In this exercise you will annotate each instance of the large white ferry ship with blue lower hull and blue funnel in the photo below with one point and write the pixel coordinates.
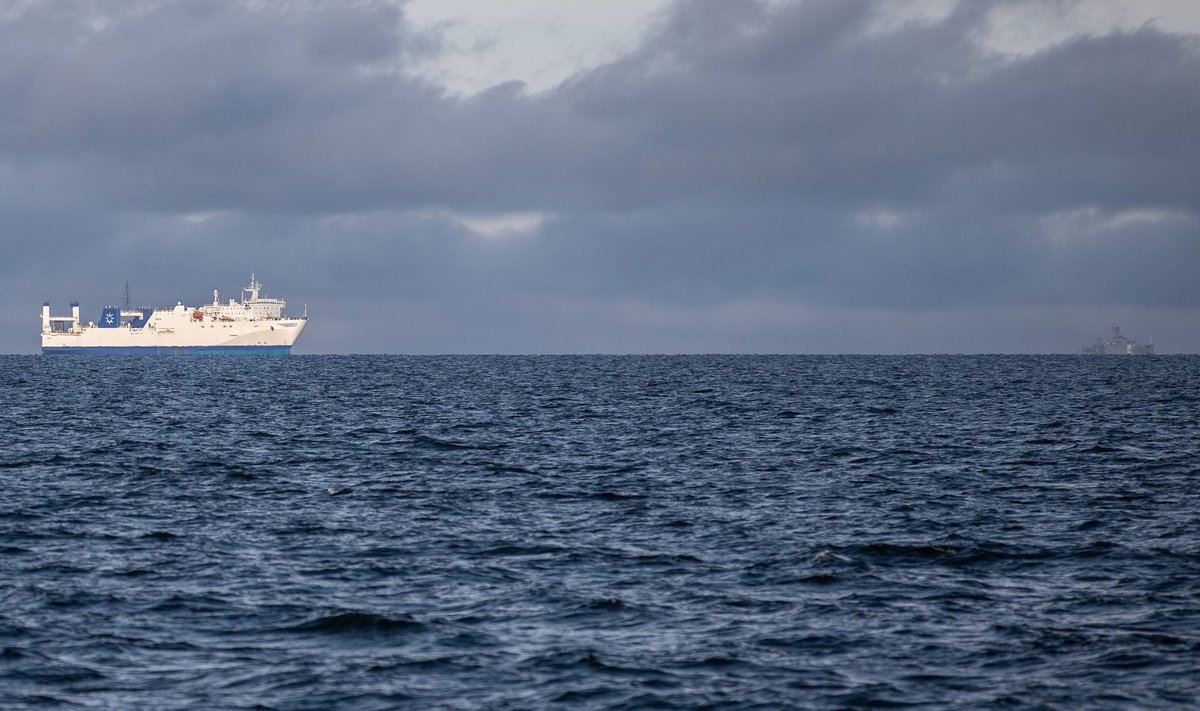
(254, 325)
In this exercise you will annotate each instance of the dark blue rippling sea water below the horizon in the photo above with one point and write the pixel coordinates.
(601, 533)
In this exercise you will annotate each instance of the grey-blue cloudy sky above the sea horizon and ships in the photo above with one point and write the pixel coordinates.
(643, 177)
